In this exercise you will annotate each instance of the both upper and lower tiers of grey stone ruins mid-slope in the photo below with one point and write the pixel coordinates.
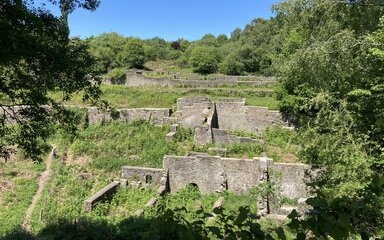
(212, 122)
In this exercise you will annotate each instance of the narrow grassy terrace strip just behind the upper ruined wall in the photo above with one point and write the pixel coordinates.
(165, 97)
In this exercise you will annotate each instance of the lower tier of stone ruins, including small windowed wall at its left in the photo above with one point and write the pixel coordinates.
(213, 174)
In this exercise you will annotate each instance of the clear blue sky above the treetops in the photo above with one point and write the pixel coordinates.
(168, 19)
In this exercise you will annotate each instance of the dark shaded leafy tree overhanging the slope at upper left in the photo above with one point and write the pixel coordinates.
(38, 58)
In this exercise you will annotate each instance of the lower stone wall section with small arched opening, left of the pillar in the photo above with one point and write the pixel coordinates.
(209, 172)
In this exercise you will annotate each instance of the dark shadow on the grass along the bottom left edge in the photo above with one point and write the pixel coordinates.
(130, 228)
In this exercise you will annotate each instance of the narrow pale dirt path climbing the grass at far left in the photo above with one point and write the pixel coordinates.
(43, 179)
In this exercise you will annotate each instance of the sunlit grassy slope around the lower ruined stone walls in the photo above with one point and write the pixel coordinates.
(98, 153)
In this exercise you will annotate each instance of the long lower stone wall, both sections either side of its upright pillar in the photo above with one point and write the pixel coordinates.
(241, 175)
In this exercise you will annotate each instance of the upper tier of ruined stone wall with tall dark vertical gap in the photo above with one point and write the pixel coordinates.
(212, 121)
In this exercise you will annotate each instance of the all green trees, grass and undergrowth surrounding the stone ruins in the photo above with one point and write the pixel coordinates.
(328, 56)
